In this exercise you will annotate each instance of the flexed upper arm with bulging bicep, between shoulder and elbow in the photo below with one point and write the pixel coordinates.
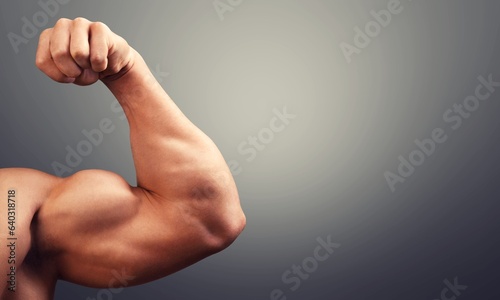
(95, 225)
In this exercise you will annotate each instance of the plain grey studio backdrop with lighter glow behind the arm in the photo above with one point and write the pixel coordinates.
(364, 135)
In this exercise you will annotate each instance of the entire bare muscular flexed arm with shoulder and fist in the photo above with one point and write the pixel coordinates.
(93, 228)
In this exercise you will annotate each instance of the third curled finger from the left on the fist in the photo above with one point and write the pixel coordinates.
(79, 44)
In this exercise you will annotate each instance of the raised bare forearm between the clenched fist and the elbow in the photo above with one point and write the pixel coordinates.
(170, 153)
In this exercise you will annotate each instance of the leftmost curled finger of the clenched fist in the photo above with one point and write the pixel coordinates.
(44, 60)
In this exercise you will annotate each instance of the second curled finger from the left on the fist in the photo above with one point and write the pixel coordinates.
(60, 49)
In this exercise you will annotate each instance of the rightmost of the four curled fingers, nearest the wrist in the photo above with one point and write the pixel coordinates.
(99, 46)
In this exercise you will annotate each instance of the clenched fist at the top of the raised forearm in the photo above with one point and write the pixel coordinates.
(82, 52)
